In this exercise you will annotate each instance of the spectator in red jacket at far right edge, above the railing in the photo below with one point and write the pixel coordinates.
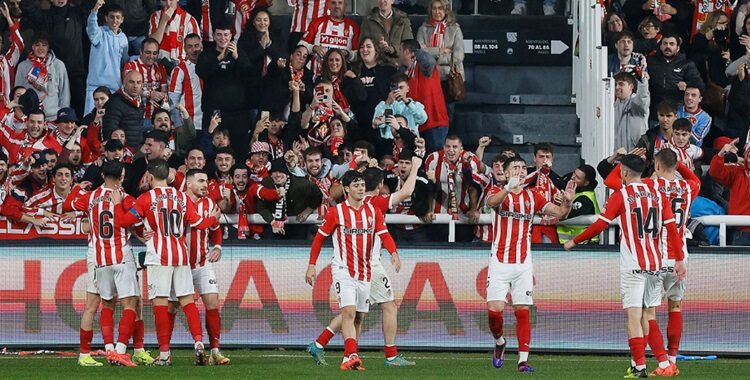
(736, 177)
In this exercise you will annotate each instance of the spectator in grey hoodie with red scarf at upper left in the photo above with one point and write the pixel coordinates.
(46, 75)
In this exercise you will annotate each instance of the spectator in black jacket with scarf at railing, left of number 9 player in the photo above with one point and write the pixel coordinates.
(301, 197)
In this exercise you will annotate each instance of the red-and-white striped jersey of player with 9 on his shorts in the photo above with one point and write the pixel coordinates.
(354, 236)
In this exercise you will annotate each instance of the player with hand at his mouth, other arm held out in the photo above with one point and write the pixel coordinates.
(510, 267)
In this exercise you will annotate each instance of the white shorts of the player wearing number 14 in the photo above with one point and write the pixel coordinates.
(640, 288)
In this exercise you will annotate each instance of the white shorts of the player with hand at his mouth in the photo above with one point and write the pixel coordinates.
(518, 279)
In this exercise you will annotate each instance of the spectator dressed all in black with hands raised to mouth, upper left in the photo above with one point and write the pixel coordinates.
(220, 66)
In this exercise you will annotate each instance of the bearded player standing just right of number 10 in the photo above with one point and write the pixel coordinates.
(204, 278)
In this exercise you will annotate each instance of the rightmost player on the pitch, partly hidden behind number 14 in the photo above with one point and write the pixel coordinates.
(680, 193)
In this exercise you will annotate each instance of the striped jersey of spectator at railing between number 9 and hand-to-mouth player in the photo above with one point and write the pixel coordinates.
(436, 162)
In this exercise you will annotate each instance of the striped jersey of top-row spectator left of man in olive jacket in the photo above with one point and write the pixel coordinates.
(329, 33)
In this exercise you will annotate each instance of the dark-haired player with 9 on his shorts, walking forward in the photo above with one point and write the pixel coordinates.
(357, 225)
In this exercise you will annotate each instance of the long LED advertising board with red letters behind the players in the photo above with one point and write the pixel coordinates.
(440, 292)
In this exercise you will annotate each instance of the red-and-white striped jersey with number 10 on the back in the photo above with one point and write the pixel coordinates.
(165, 211)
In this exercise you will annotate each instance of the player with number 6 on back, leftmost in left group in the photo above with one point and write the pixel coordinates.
(115, 270)
